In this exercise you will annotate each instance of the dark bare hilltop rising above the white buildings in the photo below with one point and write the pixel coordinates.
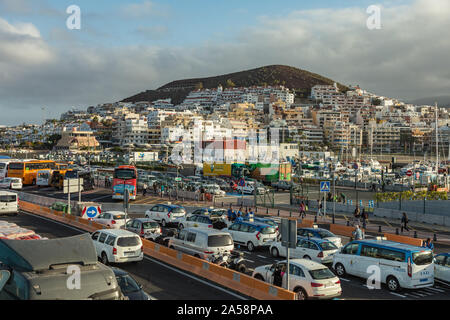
(299, 80)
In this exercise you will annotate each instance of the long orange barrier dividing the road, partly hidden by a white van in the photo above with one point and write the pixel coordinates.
(229, 278)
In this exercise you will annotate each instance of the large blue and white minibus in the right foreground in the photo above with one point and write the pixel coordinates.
(400, 265)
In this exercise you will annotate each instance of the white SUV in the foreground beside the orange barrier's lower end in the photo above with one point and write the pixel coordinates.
(308, 279)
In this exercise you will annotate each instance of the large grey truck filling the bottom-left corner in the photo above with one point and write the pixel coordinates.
(44, 270)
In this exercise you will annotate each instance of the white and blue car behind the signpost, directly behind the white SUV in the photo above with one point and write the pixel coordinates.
(318, 250)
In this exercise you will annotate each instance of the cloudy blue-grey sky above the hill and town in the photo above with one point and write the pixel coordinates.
(125, 47)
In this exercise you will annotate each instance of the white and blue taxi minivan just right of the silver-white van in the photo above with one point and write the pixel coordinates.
(252, 235)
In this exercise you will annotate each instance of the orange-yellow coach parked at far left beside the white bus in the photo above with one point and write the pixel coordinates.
(27, 169)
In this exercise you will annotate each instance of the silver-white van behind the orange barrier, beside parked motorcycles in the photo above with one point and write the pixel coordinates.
(202, 243)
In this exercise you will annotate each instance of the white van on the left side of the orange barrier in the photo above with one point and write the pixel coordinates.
(116, 245)
